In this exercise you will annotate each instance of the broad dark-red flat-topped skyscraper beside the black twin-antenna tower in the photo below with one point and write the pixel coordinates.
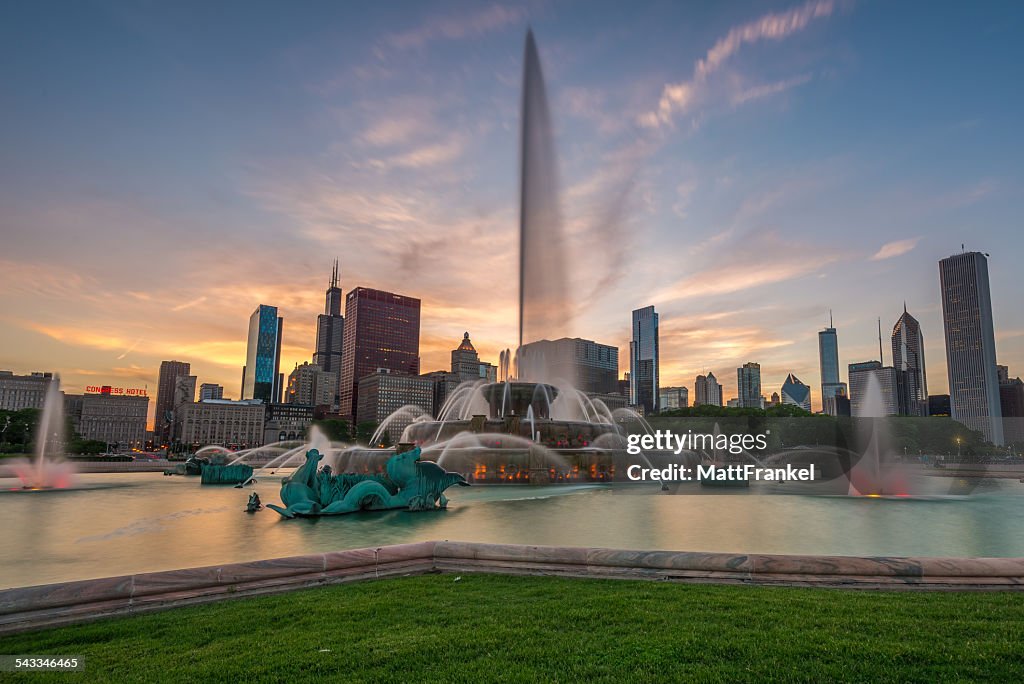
(382, 331)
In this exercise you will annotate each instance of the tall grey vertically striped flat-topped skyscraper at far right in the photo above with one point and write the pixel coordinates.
(967, 318)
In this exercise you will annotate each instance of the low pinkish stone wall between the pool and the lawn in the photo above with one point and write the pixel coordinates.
(64, 604)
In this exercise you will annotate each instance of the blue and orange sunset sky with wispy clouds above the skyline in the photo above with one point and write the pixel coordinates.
(745, 167)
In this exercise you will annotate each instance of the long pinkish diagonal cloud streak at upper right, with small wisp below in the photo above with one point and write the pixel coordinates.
(681, 98)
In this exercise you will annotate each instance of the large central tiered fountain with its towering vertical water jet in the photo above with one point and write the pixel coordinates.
(532, 426)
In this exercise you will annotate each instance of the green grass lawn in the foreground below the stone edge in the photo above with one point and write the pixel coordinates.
(494, 628)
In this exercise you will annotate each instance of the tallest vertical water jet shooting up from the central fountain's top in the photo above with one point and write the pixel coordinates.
(544, 309)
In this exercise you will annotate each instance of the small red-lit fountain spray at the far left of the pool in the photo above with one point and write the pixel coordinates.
(48, 471)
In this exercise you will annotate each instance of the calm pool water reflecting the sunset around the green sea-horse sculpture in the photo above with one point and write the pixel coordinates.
(145, 523)
